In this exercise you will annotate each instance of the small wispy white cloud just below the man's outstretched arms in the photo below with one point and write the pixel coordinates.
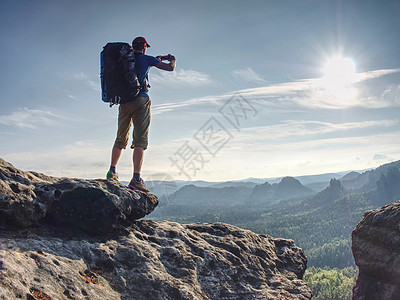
(181, 77)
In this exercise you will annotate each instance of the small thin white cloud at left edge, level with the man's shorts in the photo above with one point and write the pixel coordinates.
(26, 118)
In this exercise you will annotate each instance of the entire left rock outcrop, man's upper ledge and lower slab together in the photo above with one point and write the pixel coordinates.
(51, 248)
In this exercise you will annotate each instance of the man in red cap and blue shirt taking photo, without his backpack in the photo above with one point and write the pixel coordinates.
(137, 111)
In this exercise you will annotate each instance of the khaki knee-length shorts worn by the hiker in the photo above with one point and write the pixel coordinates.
(138, 112)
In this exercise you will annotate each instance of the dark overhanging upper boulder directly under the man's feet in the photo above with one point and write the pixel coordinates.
(93, 206)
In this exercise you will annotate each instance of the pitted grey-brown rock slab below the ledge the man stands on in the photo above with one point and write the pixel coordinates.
(153, 260)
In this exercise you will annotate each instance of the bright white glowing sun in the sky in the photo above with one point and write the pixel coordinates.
(339, 75)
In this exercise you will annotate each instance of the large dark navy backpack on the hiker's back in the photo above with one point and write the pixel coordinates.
(119, 81)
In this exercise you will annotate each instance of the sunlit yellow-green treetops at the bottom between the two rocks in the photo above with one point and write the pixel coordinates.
(331, 284)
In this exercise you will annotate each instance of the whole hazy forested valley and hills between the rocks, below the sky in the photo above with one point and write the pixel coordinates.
(320, 222)
